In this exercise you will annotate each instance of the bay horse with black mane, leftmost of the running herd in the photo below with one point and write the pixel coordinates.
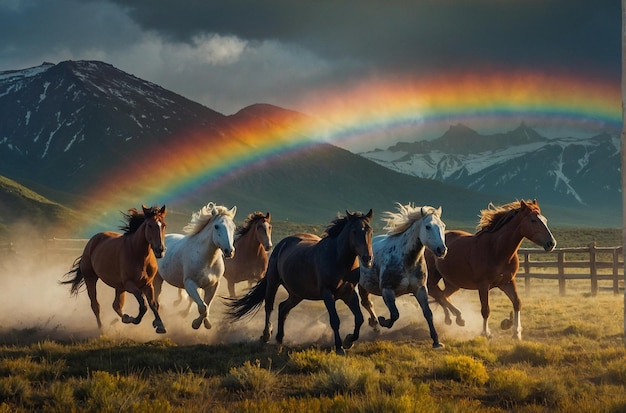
(127, 262)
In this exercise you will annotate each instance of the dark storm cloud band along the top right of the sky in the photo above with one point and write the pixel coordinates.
(410, 35)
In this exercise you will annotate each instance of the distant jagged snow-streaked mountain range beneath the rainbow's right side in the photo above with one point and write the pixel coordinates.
(568, 172)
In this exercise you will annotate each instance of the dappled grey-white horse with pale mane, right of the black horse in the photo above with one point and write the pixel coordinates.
(400, 267)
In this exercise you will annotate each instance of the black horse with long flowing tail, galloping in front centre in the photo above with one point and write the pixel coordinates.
(314, 268)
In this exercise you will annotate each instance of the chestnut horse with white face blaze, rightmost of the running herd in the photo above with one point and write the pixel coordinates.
(488, 259)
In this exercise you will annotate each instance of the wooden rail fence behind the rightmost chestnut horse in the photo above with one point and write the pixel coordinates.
(582, 263)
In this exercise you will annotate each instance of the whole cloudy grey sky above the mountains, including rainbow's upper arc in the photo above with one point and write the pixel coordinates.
(392, 63)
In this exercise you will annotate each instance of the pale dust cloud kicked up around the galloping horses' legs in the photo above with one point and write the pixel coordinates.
(34, 306)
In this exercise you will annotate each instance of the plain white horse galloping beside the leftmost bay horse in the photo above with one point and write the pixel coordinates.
(196, 260)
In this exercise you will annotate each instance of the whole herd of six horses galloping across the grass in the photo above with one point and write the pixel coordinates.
(416, 255)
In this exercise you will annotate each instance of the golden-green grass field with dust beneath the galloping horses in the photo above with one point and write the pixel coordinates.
(53, 359)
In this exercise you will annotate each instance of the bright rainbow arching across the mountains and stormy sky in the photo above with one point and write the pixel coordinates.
(362, 113)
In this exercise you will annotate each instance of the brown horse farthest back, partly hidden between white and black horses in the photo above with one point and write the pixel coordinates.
(253, 239)
